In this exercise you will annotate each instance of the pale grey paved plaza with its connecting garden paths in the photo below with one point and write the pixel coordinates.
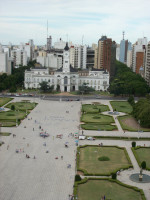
(48, 178)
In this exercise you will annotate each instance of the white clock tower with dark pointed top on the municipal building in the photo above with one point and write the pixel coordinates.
(66, 65)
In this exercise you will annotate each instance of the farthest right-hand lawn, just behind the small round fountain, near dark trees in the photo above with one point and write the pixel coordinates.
(121, 106)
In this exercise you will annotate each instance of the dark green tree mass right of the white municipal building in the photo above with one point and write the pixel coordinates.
(127, 82)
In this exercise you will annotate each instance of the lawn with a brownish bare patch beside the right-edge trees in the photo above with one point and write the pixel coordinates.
(129, 123)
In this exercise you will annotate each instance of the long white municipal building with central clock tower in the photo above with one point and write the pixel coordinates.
(67, 78)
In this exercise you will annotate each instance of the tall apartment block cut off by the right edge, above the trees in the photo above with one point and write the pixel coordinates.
(147, 65)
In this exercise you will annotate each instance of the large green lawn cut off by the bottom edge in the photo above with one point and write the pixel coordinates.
(95, 189)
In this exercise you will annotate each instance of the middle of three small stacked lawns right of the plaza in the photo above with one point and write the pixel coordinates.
(97, 118)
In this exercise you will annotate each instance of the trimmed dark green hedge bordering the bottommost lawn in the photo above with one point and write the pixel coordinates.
(75, 191)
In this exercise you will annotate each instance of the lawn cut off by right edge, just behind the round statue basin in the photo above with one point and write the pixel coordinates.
(143, 154)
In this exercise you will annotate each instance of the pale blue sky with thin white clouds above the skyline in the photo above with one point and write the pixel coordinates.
(73, 20)
